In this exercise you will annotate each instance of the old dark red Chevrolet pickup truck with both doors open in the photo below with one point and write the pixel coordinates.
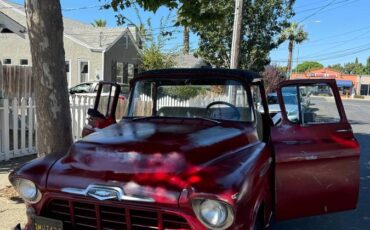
(197, 149)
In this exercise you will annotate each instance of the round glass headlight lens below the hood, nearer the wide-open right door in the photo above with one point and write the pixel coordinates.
(213, 212)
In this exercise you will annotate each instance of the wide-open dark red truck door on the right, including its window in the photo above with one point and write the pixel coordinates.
(316, 153)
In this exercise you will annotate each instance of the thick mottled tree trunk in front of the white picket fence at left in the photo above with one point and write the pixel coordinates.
(45, 30)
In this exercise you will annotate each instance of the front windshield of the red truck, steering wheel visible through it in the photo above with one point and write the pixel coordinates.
(218, 99)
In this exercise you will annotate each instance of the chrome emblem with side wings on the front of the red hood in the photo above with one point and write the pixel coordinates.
(103, 192)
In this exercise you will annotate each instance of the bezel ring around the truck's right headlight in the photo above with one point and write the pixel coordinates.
(229, 219)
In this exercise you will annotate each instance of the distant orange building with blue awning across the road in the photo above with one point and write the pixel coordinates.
(348, 84)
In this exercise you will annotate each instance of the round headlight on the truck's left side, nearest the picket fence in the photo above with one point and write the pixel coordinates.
(27, 190)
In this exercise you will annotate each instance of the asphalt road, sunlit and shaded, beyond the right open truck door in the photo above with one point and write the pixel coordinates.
(358, 112)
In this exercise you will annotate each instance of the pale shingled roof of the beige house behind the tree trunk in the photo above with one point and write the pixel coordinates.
(96, 38)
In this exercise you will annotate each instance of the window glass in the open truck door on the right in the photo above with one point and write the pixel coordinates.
(310, 104)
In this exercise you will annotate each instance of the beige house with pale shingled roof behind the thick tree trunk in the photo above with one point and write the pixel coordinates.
(92, 53)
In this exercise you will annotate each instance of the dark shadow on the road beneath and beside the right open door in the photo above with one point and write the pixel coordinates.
(358, 219)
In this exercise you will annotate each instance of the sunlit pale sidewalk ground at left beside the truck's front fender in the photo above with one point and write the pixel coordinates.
(12, 210)
